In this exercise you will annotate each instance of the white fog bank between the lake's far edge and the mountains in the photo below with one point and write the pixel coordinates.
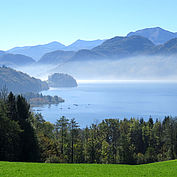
(135, 68)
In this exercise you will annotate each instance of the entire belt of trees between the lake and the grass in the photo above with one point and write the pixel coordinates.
(28, 137)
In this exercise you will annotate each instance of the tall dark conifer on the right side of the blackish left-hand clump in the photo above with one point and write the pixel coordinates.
(29, 144)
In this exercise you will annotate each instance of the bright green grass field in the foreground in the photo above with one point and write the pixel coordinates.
(13, 169)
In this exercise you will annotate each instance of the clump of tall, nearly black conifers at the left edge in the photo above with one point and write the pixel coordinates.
(18, 140)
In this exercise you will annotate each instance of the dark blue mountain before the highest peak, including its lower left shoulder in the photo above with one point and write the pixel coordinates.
(116, 48)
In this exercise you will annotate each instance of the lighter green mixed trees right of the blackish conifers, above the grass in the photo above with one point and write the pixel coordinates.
(112, 141)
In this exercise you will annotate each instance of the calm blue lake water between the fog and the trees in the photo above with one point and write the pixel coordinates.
(91, 103)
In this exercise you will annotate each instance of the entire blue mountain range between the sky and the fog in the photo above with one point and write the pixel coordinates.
(149, 41)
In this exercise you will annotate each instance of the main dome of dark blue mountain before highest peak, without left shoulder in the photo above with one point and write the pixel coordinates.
(118, 47)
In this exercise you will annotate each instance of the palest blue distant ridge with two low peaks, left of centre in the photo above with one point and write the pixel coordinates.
(36, 52)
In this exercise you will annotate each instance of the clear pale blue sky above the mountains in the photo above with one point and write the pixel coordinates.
(33, 22)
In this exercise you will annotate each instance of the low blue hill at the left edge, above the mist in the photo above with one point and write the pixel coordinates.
(14, 59)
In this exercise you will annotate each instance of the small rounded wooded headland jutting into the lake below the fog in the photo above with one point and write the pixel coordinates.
(61, 80)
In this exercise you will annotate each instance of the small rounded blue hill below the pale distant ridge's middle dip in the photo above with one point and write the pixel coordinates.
(56, 57)
